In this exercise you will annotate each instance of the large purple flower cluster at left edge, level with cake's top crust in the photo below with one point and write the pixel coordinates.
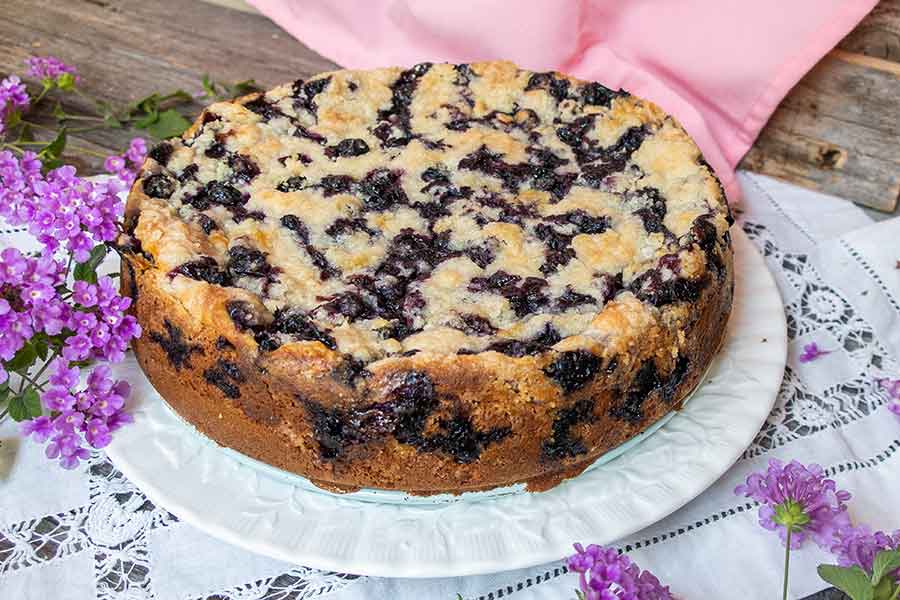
(59, 206)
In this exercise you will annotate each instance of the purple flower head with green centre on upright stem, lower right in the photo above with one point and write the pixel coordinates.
(800, 499)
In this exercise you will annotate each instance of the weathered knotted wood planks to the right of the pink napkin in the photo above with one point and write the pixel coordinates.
(838, 129)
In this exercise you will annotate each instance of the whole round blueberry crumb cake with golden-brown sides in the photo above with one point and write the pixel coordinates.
(435, 279)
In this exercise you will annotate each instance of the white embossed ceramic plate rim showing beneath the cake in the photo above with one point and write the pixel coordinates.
(267, 511)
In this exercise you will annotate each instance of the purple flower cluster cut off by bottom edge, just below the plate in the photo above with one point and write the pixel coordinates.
(607, 575)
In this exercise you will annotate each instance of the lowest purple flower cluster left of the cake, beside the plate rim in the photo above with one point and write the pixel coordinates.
(88, 415)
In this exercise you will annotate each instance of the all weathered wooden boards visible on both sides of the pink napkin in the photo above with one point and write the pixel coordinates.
(838, 131)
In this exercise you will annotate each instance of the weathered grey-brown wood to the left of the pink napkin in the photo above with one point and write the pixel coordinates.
(126, 49)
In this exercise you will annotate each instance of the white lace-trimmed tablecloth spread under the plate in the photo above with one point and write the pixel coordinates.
(90, 534)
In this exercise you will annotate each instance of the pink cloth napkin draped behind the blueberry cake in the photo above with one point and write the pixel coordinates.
(719, 66)
